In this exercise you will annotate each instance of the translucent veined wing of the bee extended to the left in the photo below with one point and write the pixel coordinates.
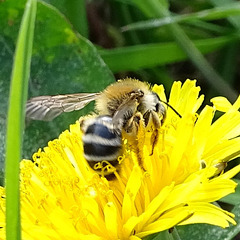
(47, 108)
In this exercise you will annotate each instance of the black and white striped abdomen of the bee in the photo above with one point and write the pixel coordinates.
(101, 141)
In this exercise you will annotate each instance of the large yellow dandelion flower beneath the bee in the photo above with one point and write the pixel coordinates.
(63, 198)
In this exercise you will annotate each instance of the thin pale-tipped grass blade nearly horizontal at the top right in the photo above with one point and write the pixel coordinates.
(210, 14)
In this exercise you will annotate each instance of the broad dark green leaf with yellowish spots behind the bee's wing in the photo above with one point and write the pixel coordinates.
(62, 62)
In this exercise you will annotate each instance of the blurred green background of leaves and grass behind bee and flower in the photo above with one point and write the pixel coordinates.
(82, 46)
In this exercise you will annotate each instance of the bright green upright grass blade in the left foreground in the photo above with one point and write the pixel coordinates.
(17, 99)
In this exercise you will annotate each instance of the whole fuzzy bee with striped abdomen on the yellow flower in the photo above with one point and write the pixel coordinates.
(119, 107)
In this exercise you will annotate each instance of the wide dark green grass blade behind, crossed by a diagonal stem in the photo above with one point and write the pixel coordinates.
(151, 55)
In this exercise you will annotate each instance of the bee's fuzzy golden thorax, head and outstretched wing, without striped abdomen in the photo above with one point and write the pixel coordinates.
(120, 100)
